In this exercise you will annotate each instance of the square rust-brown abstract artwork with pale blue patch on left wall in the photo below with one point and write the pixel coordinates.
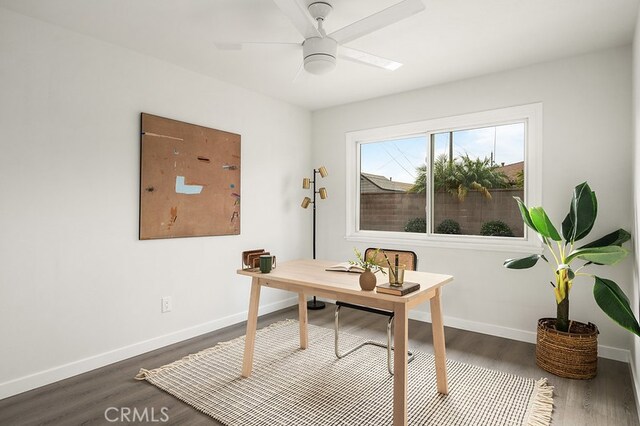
(189, 180)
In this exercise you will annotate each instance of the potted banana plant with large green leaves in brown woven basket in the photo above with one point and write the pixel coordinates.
(564, 347)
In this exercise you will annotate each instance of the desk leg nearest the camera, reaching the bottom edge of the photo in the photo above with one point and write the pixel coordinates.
(400, 343)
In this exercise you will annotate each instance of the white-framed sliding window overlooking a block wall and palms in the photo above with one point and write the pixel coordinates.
(449, 181)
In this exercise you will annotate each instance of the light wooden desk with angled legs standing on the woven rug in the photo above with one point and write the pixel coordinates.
(308, 277)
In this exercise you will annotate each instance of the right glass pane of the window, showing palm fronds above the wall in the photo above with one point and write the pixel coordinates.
(473, 190)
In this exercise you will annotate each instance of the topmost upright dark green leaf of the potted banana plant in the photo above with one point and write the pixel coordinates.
(582, 213)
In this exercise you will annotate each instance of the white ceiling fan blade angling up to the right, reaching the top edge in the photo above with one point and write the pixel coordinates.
(378, 20)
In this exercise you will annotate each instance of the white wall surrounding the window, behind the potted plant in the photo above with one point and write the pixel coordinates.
(587, 136)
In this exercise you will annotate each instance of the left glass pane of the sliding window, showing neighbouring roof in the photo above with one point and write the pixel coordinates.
(388, 173)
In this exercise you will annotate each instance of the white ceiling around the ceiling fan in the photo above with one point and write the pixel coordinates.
(450, 40)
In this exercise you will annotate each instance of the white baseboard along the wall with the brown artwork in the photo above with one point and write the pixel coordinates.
(41, 378)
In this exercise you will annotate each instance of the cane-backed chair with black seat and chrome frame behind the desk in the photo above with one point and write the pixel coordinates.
(407, 258)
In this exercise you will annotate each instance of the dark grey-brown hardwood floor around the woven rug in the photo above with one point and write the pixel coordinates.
(82, 400)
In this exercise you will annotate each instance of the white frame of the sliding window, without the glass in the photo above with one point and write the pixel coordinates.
(530, 114)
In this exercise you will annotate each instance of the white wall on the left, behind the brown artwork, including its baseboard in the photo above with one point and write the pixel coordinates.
(77, 288)
